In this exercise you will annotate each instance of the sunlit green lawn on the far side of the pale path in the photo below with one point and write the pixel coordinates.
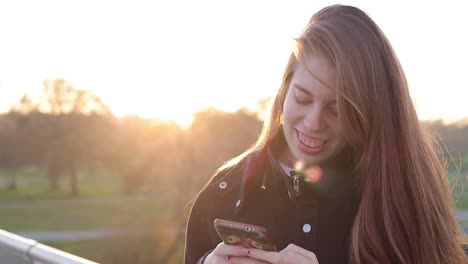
(100, 205)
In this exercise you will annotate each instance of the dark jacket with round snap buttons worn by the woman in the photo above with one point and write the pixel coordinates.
(260, 193)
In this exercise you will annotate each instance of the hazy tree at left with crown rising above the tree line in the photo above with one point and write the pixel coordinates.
(70, 115)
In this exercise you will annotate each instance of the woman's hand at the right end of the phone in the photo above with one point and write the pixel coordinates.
(292, 254)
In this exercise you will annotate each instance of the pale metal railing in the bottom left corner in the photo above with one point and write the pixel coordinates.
(37, 253)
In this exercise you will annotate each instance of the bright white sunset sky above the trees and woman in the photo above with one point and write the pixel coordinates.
(167, 59)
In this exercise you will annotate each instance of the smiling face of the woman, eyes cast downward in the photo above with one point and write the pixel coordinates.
(310, 120)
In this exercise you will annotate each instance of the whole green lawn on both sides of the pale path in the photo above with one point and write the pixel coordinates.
(32, 207)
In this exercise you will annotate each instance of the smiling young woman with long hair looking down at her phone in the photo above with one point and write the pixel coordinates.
(379, 193)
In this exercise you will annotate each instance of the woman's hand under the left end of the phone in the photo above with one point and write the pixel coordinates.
(230, 254)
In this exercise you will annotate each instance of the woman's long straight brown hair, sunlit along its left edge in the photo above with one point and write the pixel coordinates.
(406, 212)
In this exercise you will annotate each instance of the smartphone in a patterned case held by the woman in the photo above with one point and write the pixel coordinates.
(247, 235)
